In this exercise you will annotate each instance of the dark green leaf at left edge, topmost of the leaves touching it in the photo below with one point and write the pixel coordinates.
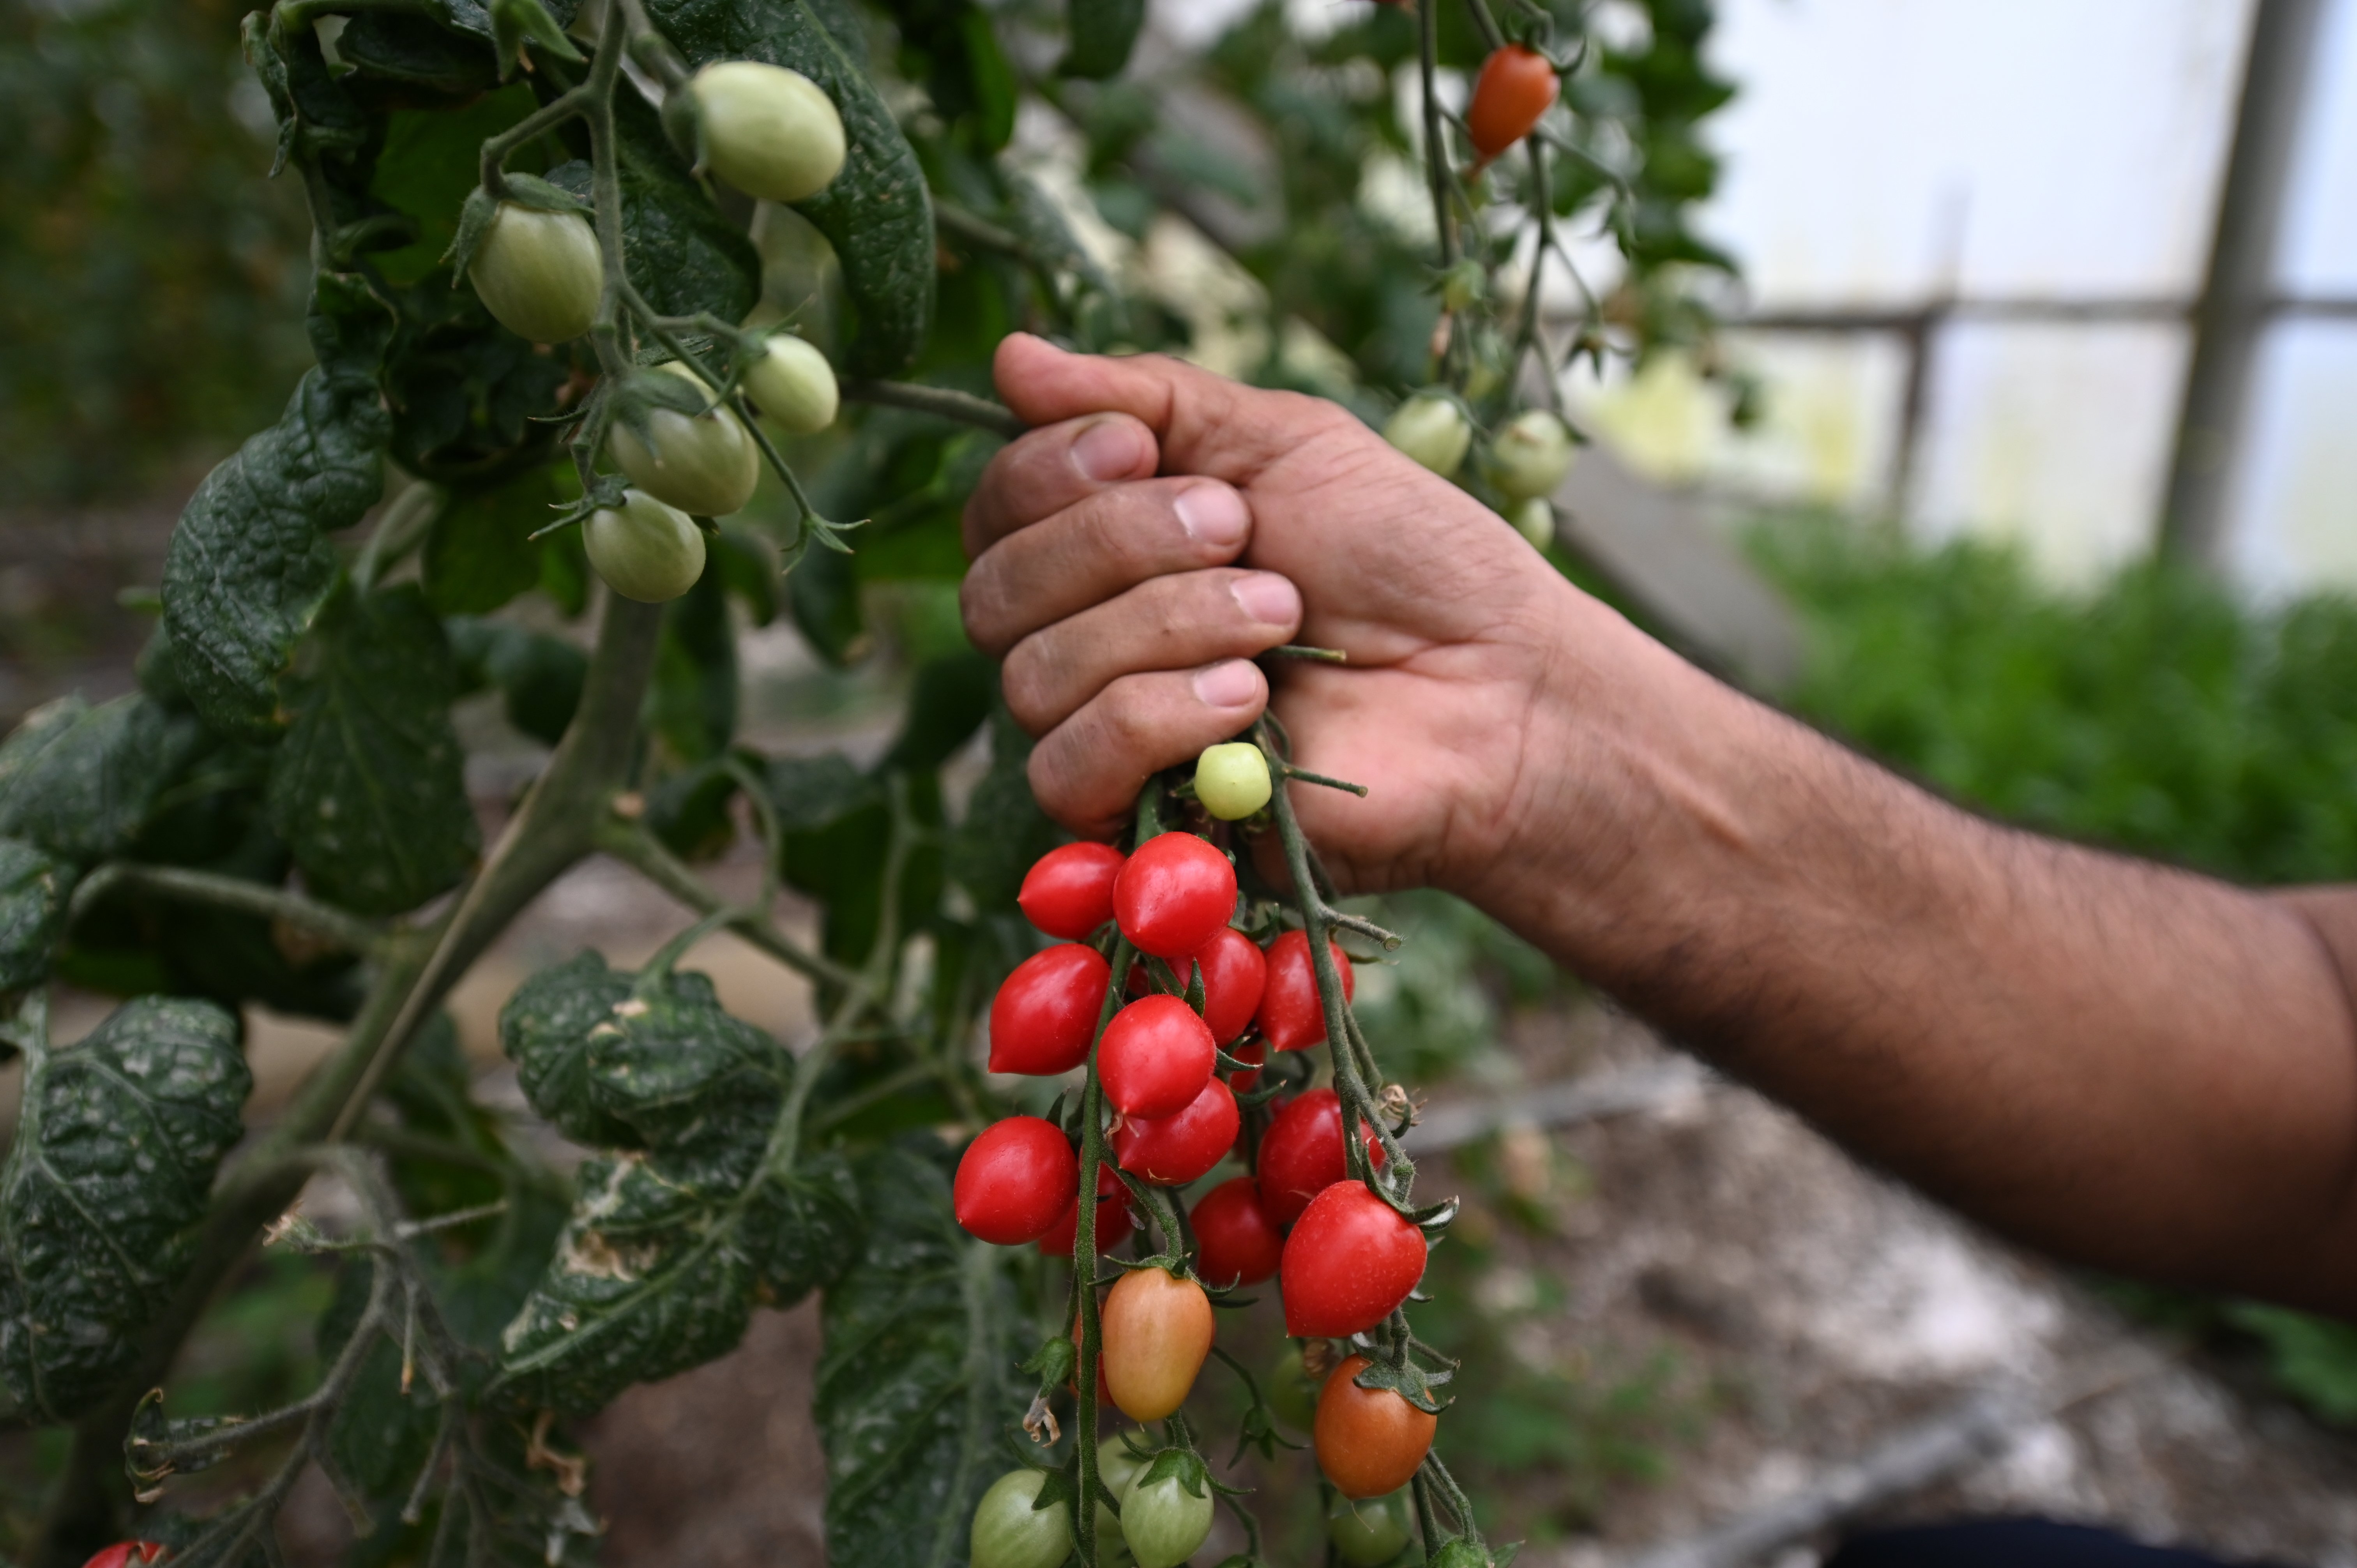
(81, 782)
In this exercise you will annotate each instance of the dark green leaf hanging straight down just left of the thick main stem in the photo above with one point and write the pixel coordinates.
(369, 789)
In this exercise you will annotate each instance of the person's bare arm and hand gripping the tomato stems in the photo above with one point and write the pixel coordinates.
(2111, 1060)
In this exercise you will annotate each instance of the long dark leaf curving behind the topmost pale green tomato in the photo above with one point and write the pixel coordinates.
(878, 213)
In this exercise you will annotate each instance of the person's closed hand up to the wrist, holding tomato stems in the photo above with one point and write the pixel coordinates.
(1163, 525)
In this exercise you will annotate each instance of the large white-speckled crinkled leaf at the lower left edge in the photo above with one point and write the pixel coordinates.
(112, 1166)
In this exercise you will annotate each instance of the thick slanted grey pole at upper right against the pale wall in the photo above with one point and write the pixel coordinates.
(2240, 279)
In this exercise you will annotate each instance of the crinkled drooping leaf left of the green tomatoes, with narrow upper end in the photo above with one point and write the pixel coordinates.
(249, 565)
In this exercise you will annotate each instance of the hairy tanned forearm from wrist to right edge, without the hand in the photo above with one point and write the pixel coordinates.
(2113, 1060)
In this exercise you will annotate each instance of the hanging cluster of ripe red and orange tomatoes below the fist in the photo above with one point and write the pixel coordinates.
(1342, 1253)
